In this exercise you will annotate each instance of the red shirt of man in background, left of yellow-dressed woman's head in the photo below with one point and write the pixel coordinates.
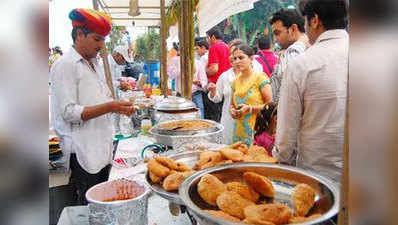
(218, 53)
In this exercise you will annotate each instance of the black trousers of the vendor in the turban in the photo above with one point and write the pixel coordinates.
(80, 180)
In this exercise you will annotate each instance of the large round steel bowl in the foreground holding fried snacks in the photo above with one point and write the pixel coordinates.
(284, 179)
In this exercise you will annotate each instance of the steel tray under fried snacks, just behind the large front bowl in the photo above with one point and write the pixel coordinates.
(189, 158)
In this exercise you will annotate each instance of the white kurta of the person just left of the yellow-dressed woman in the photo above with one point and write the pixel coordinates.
(224, 90)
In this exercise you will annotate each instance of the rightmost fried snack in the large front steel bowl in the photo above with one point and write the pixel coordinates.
(303, 198)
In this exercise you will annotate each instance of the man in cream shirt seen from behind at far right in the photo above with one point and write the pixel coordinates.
(312, 106)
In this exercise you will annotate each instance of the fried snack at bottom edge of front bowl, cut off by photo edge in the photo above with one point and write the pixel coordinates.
(275, 213)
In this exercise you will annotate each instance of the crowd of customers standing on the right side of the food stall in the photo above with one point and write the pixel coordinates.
(292, 102)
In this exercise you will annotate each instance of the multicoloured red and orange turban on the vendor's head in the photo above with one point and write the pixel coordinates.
(95, 21)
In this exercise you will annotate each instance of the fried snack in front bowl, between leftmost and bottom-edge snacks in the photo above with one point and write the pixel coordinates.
(232, 203)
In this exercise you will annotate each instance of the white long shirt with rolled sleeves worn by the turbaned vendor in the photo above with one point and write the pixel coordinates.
(74, 86)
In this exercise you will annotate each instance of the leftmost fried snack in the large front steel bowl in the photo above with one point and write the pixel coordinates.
(209, 188)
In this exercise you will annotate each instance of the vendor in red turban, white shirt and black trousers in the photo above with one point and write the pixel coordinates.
(82, 103)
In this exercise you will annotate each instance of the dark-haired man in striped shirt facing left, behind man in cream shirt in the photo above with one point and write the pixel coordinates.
(289, 33)
